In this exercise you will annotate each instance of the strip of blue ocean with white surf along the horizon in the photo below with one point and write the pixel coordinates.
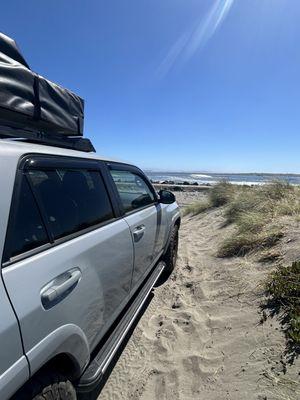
(212, 178)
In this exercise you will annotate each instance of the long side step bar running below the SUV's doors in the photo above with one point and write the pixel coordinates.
(95, 371)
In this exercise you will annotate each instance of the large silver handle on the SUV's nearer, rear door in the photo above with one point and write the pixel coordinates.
(60, 287)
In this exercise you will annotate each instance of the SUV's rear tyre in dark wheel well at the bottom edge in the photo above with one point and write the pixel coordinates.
(47, 386)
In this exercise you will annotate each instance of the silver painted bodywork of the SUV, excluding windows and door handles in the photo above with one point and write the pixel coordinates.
(112, 267)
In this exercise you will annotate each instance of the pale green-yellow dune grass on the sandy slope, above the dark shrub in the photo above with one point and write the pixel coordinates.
(254, 211)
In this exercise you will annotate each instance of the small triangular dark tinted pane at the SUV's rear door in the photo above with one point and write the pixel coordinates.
(26, 230)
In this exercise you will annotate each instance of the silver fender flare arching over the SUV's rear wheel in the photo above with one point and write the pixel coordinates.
(69, 340)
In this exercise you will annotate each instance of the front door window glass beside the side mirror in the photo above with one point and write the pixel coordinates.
(133, 190)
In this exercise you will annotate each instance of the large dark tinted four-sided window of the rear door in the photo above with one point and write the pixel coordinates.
(72, 199)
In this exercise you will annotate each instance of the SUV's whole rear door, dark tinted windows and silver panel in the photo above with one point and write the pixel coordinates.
(68, 258)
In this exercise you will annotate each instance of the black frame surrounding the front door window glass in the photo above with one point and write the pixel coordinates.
(115, 166)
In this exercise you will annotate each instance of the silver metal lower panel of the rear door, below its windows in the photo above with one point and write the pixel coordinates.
(95, 301)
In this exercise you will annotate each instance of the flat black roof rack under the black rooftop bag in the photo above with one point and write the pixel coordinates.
(44, 138)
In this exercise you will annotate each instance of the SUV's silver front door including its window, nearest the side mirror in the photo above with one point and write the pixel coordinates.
(142, 212)
